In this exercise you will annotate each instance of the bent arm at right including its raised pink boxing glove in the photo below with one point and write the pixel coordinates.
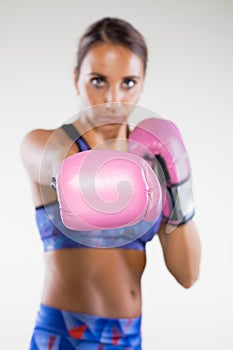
(160, 142)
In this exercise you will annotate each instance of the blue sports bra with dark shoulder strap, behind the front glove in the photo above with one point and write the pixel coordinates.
(56, 236)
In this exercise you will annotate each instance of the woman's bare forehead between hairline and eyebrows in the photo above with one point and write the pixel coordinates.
(108, 58)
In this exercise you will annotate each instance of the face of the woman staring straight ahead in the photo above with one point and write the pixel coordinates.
(110, 80)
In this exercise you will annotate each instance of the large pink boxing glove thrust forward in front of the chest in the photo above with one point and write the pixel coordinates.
(103, 189)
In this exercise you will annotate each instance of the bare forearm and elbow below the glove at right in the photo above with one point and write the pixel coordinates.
(182, 252)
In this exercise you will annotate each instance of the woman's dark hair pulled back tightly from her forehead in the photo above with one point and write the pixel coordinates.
(115, 31)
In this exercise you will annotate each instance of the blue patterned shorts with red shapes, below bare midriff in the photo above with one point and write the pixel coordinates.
(58, 329)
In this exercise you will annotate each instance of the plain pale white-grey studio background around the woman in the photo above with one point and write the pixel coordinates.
(189, 80)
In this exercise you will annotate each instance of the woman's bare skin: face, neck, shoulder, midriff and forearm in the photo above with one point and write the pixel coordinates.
(104, 282)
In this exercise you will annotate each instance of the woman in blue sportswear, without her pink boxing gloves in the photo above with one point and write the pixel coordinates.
(92, 296)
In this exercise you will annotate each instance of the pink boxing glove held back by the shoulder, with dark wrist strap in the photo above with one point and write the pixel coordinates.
(160, 143)
